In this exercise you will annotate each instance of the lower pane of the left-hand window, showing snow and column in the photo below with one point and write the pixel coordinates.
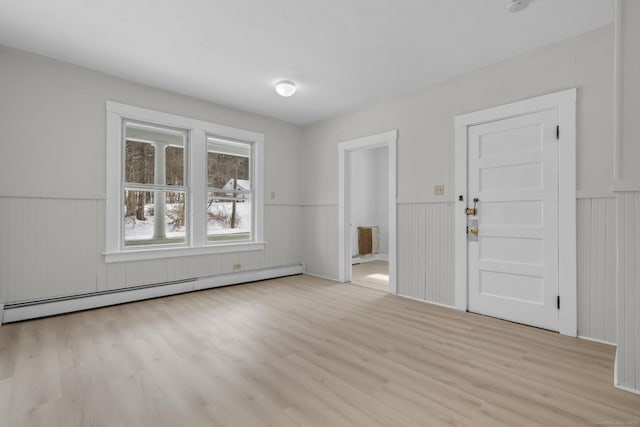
(142, 210)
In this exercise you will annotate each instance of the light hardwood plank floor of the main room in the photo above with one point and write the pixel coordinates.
(300, 351)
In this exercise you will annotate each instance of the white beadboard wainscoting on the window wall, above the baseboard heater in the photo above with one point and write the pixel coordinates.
(51, 247)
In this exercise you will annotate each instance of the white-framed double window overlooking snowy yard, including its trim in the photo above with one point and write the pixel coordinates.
(178, 186)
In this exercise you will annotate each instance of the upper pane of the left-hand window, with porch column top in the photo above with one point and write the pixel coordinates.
(154, 155)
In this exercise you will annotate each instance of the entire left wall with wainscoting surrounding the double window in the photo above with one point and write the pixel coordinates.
(52, 182)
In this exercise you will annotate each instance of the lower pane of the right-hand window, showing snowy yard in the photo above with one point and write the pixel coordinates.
(229, 218)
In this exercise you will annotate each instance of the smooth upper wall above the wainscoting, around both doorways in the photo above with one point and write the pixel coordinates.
(425, 119)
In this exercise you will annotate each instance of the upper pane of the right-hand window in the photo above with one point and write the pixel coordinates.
(228, 164)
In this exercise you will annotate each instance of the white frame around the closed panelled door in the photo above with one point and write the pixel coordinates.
(565, 103)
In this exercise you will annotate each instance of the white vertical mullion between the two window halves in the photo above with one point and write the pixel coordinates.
(198, 187)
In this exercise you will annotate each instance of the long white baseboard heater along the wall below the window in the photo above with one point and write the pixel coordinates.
(52, 306)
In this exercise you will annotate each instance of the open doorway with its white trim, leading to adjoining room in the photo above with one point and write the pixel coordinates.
(367, 211)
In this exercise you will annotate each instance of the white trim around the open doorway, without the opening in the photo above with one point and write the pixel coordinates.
(386, 139)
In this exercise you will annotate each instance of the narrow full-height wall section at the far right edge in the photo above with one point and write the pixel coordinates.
(627, 185)
